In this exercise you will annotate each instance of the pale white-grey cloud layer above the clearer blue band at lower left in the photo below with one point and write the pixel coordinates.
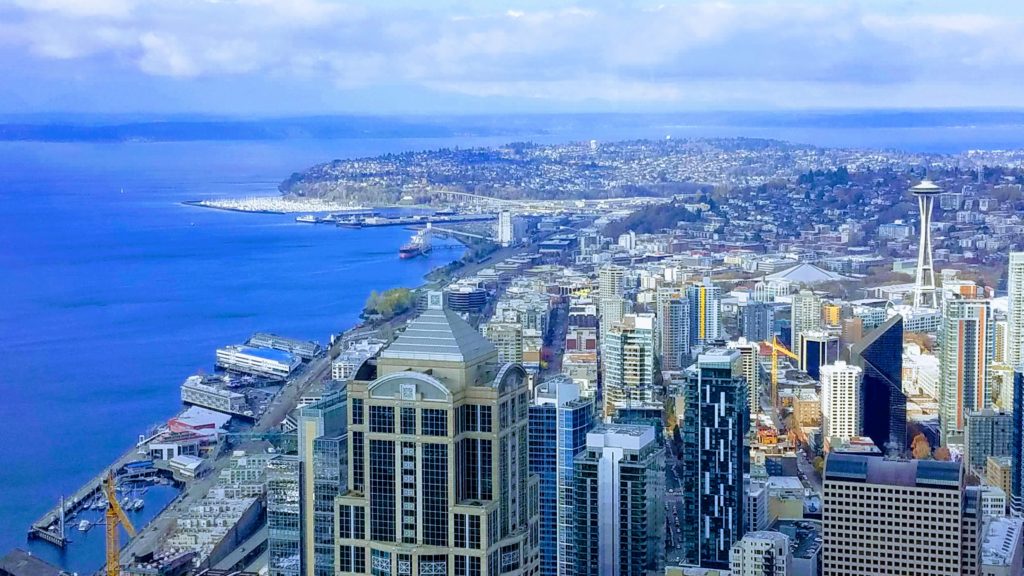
(784, 53)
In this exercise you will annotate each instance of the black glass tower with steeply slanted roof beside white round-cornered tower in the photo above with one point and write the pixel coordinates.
(880, 356)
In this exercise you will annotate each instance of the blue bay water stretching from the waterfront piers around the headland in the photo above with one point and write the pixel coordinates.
(109, 300)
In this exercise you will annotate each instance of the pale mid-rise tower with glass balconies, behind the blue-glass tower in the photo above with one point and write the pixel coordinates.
(628, 354)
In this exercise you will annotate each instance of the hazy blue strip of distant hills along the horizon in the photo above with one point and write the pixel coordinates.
(186, 129)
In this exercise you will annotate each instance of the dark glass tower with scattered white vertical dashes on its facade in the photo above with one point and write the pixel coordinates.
(714, 461)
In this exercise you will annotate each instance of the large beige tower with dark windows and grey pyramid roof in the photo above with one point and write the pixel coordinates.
(440, 477)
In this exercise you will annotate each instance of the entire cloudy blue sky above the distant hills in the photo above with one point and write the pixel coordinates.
(431, 57)
